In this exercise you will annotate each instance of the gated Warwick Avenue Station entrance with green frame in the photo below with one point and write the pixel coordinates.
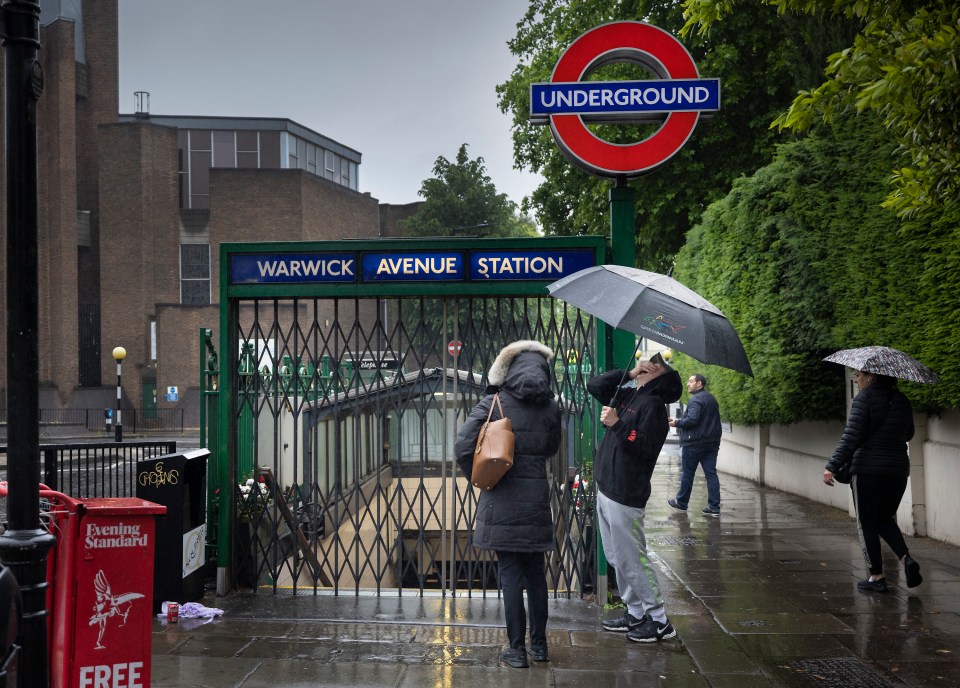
(348, 368)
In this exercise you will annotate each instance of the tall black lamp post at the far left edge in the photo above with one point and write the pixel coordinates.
(24, 545)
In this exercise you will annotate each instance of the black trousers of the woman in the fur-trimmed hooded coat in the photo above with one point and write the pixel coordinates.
(519, 571)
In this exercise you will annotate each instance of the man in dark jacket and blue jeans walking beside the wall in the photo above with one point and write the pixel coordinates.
(700, 434)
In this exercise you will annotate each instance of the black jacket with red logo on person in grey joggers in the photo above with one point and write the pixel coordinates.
(629, 449)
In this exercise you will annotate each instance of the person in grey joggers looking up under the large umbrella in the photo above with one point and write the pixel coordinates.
(636, 423)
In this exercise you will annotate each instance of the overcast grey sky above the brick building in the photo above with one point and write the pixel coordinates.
(401, 81)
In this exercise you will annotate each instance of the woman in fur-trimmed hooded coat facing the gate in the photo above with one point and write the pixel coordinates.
(514, 519)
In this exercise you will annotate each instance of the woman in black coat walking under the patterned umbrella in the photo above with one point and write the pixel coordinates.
(874, 444)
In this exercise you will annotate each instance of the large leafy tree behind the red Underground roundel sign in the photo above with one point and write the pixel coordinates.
(762, 62)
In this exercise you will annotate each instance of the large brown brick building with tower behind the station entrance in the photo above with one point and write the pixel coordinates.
(133, 208)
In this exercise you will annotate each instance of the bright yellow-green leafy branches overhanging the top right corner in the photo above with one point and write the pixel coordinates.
(902, 65)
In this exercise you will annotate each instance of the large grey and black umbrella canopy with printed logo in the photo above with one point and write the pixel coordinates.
(657, 307)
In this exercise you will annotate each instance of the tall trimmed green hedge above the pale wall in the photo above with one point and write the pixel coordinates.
(804, 261)
